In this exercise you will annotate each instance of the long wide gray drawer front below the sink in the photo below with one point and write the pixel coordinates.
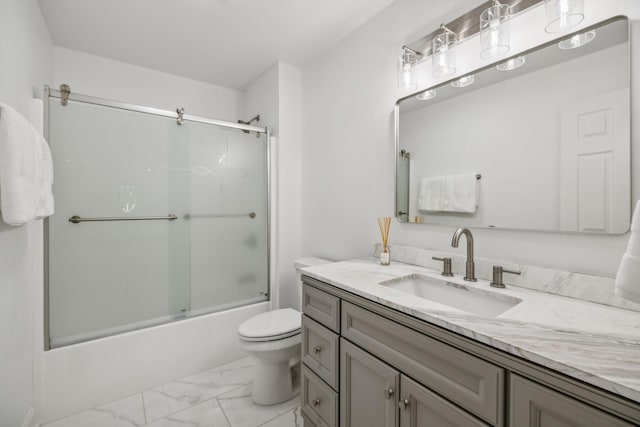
(472, 383)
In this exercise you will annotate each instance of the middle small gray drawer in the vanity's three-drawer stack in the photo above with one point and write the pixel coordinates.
(320, 350)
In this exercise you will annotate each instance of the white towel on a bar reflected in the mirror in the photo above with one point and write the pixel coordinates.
(450, 193)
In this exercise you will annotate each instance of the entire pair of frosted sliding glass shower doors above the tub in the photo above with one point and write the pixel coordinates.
(155, 221)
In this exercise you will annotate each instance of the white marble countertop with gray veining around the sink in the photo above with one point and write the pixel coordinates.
(592, 342)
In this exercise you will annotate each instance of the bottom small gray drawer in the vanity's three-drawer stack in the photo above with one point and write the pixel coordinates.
(319, 401)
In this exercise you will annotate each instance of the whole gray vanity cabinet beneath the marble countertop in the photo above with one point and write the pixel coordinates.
(365, 364)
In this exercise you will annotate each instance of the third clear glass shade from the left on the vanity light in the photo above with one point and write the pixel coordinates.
(495, 31)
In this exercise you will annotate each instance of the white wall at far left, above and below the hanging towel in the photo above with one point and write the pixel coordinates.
(25, 66)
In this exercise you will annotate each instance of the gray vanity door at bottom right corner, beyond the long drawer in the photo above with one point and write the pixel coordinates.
(534, 405)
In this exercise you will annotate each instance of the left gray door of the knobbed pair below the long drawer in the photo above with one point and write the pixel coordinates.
(368, 389)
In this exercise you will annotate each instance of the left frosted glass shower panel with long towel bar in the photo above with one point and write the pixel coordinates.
(106, 274)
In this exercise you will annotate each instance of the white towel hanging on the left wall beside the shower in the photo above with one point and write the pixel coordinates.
(26, 170)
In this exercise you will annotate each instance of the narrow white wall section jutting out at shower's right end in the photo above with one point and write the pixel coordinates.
(276, 97)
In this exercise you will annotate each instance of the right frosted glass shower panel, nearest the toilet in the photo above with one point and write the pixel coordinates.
(228, 220)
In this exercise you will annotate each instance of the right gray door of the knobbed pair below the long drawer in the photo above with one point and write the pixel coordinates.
(422, 408)
